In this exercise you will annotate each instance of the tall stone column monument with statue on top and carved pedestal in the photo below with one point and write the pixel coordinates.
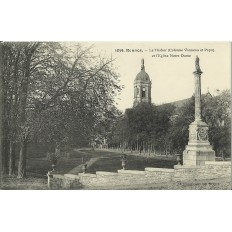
(198, 149)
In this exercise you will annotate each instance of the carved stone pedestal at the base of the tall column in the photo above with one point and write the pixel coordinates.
(198, 149)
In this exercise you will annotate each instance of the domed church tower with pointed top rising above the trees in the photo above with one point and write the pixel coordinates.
(142, 86)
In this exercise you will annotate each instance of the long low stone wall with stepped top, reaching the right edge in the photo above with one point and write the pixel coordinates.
(131, 178)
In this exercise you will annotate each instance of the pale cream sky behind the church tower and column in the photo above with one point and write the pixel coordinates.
(170, 66)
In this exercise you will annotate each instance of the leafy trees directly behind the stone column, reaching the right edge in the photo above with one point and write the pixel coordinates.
(215, 112)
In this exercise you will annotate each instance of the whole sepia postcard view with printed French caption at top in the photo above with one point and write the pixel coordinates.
(115, 115)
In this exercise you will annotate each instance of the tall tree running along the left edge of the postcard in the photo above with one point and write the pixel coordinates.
(10, 56)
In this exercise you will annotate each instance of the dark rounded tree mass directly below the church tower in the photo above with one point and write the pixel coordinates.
(145, 125)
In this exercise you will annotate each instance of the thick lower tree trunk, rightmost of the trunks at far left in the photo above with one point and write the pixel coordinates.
(22, 159)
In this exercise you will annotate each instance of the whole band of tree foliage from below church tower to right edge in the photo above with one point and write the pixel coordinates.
(164, 128)
